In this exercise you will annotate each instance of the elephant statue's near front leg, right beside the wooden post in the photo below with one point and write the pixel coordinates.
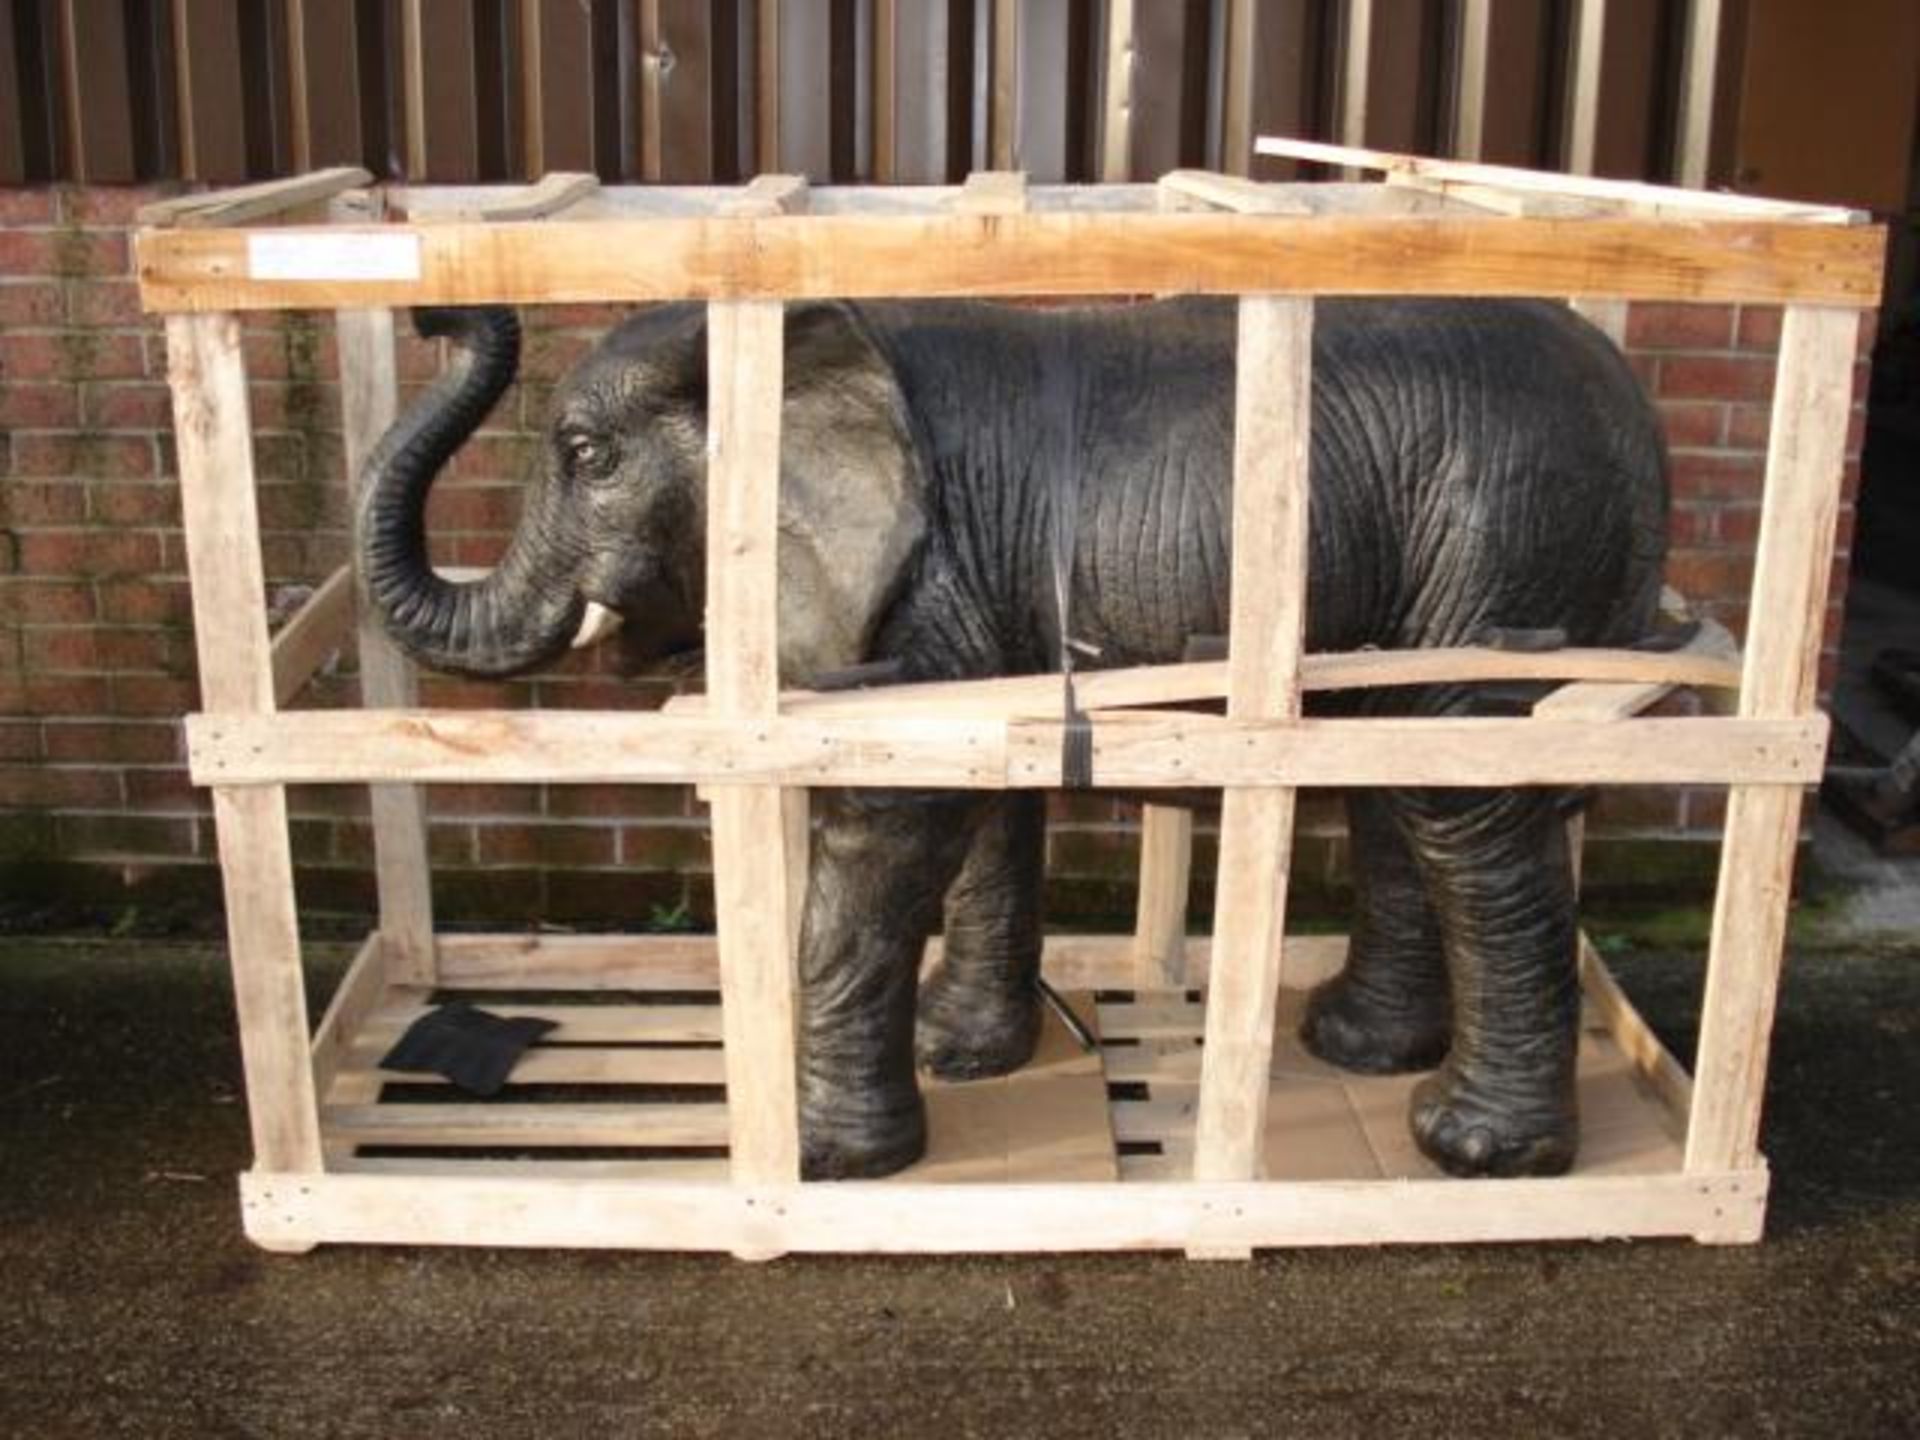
(876, 876)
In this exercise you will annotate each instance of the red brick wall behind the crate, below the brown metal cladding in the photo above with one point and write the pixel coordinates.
(97, 660)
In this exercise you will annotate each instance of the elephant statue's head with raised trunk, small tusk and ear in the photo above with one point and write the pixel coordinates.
(613, 523)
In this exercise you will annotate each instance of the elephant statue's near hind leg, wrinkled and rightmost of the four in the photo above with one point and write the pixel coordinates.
(1500, 882)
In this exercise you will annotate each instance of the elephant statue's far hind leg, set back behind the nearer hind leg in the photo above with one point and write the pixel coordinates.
(1389, 1009)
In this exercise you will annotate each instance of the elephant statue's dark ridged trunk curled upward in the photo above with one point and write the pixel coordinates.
(529, 608)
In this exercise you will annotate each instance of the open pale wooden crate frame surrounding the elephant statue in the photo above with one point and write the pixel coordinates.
(1431, 229)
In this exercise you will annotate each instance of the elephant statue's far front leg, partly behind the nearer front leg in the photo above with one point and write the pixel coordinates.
(980, 1013)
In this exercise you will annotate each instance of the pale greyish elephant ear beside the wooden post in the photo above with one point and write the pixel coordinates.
(852, 498)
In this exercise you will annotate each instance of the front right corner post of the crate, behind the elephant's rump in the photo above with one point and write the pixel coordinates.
(1781, 673)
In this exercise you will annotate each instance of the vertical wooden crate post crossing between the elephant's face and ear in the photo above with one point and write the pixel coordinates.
(754, 871)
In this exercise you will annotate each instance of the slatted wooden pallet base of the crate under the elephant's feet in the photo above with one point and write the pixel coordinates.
(613, 1130)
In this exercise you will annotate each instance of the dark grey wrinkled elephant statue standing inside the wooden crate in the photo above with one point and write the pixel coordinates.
(1476, 468)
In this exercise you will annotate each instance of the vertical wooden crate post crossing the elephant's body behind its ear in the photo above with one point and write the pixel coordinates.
(1264, 646)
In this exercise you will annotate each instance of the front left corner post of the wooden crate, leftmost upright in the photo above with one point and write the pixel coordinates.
(222, 521)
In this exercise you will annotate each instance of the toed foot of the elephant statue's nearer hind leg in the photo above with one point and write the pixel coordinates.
(1468, 1132)
